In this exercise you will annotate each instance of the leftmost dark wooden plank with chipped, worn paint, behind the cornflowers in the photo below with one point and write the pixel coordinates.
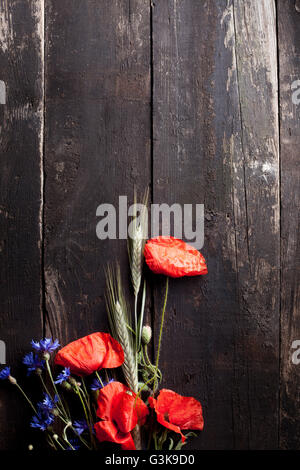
(21, 142)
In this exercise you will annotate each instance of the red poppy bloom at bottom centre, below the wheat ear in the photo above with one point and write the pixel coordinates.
(121, 412)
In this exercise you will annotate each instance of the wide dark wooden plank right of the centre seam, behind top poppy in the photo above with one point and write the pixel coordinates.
(216, 142)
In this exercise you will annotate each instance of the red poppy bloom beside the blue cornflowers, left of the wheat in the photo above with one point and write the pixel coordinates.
(91, 353)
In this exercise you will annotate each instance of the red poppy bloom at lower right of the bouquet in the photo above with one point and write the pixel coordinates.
(176, 412)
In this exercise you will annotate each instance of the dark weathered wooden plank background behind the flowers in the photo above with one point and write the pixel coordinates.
(193, 98)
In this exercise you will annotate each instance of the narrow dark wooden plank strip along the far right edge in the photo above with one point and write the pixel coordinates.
(289, 66)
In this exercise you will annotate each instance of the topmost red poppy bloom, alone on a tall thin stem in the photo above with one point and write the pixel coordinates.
(173, 257)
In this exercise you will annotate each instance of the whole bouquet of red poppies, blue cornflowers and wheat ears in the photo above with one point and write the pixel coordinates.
(87, 403)
